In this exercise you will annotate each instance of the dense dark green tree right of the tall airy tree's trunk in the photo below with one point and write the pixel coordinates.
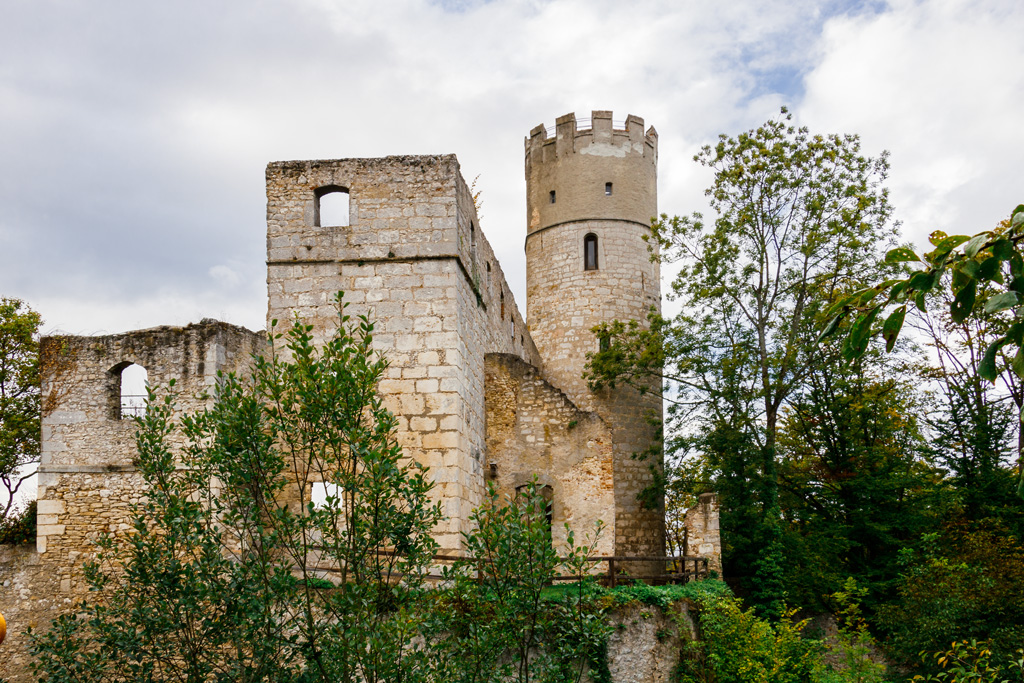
(855, 487)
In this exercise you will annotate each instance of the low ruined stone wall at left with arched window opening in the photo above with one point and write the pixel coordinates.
(88, 474)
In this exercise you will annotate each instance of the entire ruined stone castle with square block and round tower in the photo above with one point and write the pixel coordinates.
(482, 395)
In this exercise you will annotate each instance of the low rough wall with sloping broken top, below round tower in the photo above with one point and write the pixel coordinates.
(535, 432)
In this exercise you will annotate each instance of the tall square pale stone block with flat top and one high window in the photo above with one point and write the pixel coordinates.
(415, 259)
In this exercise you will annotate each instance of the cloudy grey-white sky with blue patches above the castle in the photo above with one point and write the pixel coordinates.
(135, 136)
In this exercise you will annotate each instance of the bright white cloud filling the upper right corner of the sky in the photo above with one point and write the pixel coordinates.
(941, 84)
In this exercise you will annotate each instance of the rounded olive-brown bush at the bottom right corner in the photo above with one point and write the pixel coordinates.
(965, 584)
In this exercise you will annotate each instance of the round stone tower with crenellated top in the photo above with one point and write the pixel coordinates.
(591, 194)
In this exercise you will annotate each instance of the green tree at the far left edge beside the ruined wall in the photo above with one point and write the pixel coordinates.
(19, 398)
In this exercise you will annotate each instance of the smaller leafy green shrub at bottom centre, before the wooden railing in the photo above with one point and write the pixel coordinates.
(498, 622)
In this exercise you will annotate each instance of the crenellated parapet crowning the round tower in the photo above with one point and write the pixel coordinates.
(602, 139)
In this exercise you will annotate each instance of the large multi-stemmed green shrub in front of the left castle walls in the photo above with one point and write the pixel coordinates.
(231, 573)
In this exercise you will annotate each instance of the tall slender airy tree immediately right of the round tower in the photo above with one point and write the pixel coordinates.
(799, 221)
